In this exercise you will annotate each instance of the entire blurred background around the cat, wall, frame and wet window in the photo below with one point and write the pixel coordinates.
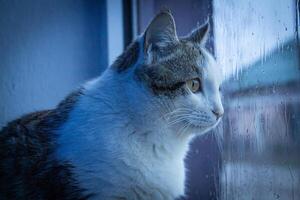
(50, 47)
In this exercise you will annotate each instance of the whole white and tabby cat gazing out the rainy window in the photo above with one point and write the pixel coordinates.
(125, 134)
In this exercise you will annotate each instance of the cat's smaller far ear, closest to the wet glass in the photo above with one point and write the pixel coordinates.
(200, 34)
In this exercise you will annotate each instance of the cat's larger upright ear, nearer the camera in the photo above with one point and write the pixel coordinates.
(161, 31)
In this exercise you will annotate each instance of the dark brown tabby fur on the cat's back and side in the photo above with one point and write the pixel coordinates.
(28, 169)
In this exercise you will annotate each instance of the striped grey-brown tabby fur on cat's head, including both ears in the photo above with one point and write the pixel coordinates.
(167, 61)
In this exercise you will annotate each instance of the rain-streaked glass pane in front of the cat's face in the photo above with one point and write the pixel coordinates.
(257, 45)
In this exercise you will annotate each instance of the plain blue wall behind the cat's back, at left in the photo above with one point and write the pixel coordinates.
(47, 49)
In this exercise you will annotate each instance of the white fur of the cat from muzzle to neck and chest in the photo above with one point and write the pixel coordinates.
(126, 143)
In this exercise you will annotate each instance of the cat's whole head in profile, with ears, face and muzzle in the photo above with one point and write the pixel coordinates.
(182, 77)
